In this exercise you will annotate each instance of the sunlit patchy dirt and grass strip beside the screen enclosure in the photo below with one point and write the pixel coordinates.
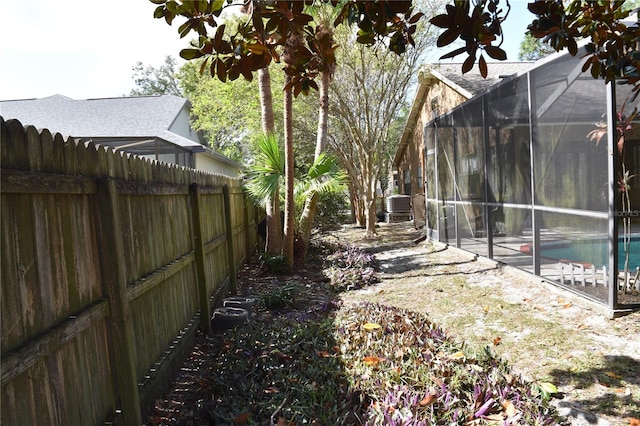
(546, 334)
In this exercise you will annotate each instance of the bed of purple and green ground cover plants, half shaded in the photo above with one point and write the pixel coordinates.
(311, 359)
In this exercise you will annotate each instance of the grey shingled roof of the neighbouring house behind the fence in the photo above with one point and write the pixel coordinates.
(124, 117)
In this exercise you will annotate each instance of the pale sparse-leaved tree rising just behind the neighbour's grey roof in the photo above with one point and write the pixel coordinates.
(162, 80)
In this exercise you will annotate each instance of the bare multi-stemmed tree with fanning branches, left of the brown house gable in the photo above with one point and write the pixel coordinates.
(368, 93)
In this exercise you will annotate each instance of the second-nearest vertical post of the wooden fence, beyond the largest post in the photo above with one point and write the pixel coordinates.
(198, 243)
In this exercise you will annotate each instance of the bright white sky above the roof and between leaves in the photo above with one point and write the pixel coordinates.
(86, 49)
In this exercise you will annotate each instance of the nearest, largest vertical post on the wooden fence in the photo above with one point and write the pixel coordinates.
(115, 285)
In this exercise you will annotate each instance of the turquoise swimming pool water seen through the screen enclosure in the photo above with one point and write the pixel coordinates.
(594, 251)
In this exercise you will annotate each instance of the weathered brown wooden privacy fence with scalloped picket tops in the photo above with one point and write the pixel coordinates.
(109, 264)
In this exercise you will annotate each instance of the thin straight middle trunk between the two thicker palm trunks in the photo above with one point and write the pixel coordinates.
(289, 209)
